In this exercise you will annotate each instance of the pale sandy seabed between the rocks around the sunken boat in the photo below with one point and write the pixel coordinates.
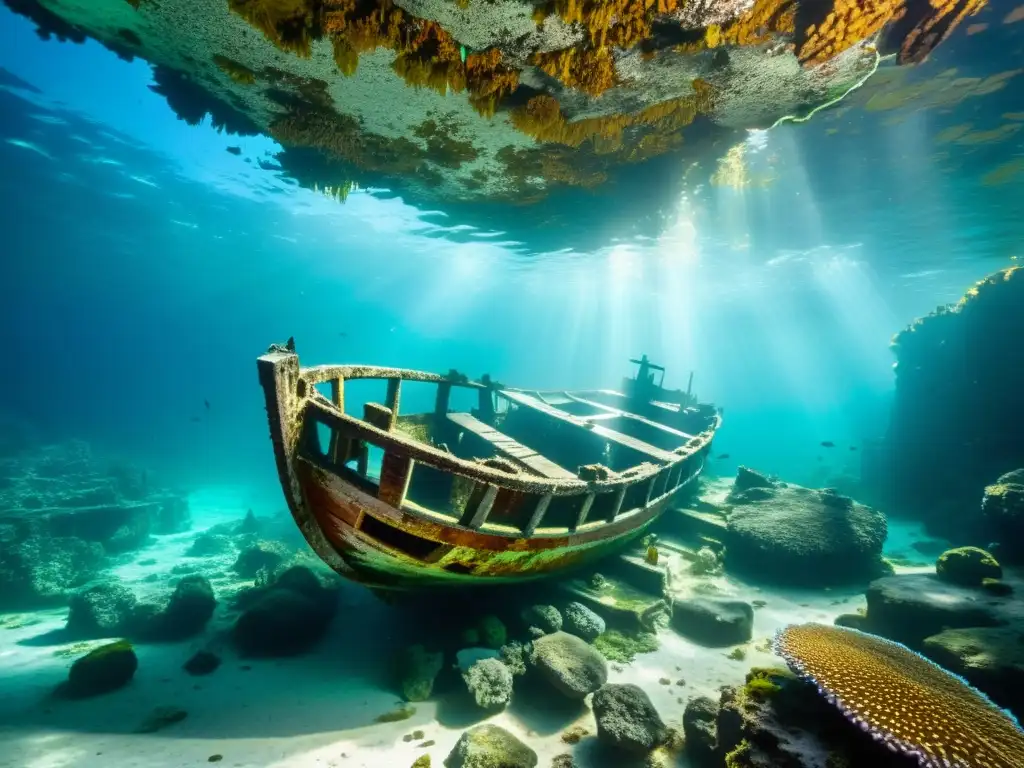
(321, 709)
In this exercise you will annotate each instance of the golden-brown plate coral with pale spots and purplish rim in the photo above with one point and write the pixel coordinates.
(903, 700)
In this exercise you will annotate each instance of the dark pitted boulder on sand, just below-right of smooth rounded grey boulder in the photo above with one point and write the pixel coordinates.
(627, 720)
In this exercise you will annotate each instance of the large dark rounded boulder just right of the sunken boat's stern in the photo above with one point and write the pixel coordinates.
(797, 536)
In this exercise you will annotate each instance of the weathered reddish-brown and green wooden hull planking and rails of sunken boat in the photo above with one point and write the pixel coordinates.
(516, 525)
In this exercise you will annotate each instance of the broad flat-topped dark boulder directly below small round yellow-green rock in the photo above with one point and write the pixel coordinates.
(912, 607)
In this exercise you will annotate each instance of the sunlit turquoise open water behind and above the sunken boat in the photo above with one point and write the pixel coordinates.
(146, 269)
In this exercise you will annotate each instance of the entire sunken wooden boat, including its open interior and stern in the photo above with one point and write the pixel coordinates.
(490, 485)
